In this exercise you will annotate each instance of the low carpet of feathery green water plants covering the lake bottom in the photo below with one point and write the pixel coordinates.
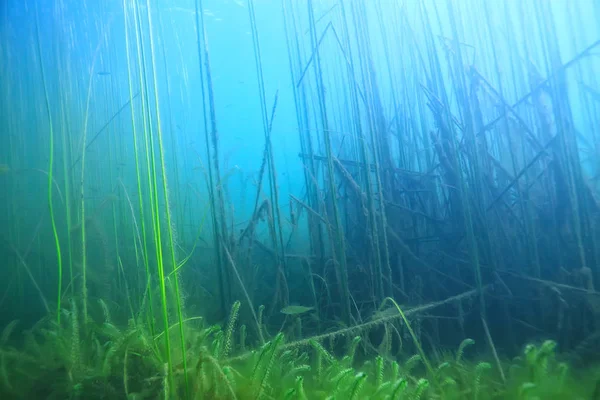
(58, 361)
